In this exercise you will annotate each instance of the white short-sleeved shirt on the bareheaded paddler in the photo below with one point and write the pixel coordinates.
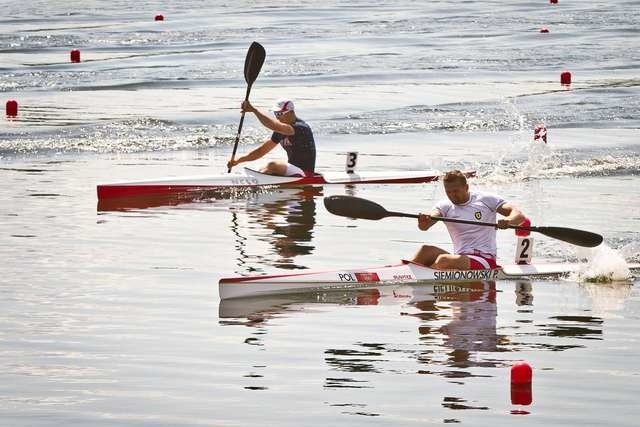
(466, 238)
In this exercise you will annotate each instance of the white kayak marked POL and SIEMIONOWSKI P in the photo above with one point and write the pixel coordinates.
(403, 273)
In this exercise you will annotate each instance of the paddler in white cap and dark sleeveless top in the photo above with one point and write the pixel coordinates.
(291, 133)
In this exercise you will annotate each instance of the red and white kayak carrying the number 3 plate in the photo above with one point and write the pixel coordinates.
(253, 178)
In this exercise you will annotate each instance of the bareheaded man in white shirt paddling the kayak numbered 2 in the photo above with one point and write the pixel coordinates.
(474, 246)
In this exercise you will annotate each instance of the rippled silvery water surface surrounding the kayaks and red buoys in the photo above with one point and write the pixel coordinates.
(110, 315)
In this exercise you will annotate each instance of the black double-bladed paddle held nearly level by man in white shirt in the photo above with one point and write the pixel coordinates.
(355, 207)
